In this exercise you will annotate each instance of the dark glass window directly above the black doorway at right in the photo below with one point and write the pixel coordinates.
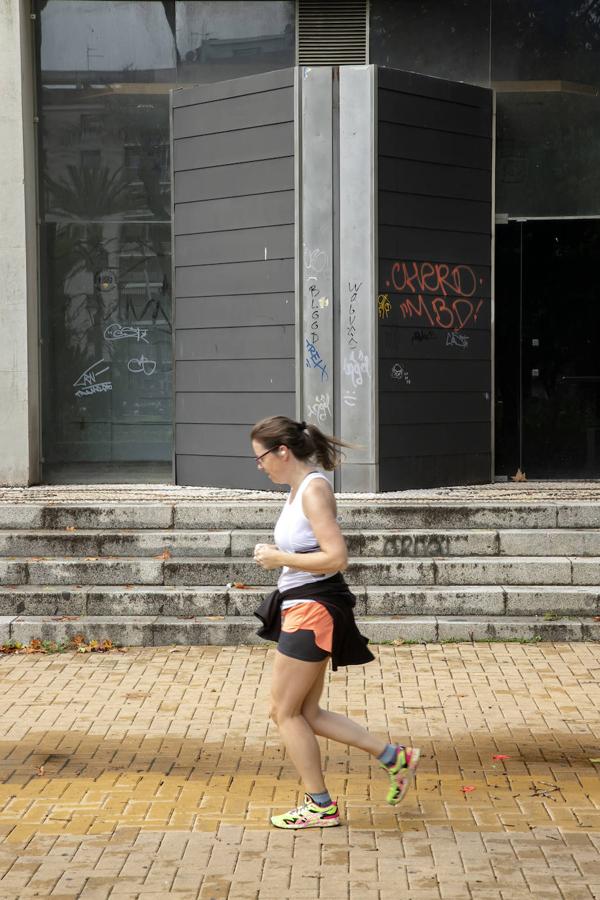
(546, 72)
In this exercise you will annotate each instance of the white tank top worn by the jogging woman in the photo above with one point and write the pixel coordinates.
(293, 534)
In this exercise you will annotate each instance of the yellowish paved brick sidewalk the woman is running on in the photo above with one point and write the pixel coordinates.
(160, 770)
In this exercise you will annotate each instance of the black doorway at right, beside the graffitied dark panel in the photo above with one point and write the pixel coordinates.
(547, 353)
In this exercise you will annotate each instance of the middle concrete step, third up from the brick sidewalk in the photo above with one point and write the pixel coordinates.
(534, 570)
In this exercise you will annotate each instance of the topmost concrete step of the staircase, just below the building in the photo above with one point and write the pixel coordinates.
(373, 513)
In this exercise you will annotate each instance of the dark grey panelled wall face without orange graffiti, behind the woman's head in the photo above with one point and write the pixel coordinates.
(233, 189)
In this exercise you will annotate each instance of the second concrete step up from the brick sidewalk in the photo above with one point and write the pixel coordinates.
(379, 601)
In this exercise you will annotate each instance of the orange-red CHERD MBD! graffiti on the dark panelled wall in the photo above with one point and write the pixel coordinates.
(437, 293)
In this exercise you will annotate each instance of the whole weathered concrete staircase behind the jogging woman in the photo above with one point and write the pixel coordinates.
(154, 568)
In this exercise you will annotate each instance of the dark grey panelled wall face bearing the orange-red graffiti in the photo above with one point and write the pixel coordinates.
(434, 304)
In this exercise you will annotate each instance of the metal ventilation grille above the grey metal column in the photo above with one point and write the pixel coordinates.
(332, 33)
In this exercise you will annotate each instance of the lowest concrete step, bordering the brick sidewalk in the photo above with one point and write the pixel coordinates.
(234, 630)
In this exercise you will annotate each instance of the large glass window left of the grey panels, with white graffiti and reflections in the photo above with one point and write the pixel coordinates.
(105, 69)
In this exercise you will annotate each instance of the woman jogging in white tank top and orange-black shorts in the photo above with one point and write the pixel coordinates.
(310, 616)
